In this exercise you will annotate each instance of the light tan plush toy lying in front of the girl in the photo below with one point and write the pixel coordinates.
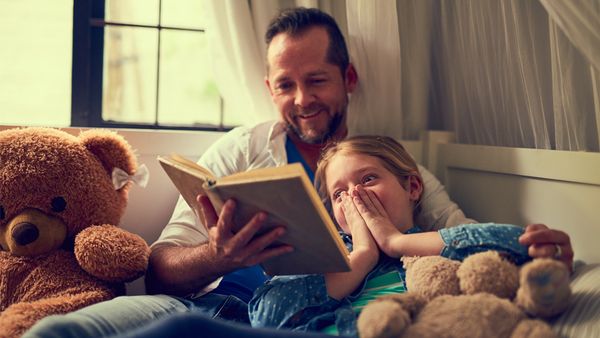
(484, 296)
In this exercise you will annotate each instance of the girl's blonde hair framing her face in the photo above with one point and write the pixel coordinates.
(391, 153)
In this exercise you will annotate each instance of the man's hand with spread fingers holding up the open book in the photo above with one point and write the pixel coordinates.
(241, 249)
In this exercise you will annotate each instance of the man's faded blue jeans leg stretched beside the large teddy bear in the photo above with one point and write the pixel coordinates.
(124, 314)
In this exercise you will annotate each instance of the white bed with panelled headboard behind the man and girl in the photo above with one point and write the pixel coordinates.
(513, 185)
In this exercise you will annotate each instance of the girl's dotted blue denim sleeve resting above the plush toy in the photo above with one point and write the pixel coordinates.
(464, 240)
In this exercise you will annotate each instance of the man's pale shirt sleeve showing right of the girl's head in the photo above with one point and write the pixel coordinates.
(437, 210)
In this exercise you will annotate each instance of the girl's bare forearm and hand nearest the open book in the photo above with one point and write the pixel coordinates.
(363, 257)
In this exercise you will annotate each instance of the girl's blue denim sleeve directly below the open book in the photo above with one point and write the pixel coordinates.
(290, 302)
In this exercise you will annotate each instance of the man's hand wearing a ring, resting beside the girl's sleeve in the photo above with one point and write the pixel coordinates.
(545, 242)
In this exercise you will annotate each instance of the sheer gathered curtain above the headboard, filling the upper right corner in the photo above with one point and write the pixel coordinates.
(519, 73)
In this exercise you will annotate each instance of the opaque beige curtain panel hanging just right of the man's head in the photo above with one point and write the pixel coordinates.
(389, 44)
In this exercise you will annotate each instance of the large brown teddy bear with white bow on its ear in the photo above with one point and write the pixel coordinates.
(60, 249)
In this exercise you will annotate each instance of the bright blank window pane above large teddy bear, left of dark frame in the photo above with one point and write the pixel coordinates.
(35, 62)
